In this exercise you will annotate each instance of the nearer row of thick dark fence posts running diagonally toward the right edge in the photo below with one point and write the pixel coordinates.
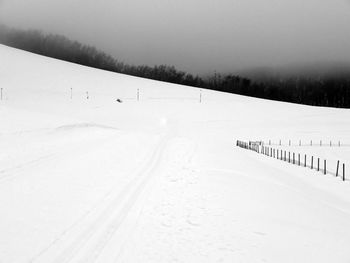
(293, 159)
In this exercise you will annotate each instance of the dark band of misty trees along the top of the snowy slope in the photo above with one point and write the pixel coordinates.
(326, 91)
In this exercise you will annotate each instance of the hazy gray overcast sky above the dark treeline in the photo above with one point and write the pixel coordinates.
(196, 35)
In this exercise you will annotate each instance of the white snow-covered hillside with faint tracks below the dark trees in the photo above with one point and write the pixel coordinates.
(160, 179)
